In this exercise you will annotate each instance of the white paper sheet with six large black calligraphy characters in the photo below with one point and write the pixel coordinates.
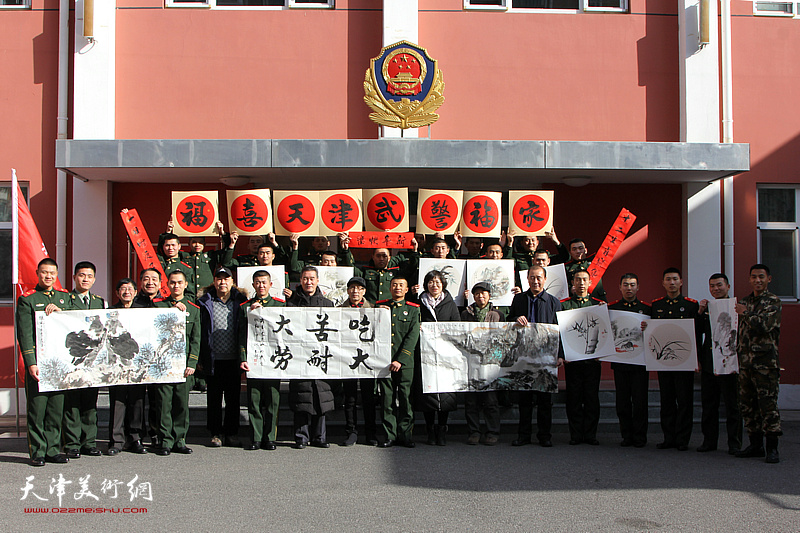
(318, 343)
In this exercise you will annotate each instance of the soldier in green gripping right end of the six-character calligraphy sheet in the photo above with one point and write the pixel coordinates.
(398, 423)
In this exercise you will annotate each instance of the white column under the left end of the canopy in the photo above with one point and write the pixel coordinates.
(91, 231)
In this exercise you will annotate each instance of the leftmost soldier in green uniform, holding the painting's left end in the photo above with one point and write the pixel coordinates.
(45, 409)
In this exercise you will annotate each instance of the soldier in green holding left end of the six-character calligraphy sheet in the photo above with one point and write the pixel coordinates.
(263, 395)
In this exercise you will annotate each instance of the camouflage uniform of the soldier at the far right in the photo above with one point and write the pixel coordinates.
(759, 370)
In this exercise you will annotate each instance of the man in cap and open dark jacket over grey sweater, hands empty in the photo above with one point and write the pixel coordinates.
(219, 357)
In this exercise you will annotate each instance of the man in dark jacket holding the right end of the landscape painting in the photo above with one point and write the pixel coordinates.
(535, 306)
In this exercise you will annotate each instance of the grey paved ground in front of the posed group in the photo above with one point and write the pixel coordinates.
(455, 488)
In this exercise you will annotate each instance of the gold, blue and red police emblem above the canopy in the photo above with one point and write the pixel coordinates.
(403, 86)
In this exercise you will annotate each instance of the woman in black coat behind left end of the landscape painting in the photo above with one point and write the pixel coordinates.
(436, 305)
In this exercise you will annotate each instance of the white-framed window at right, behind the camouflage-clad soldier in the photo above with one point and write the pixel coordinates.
(778, 237)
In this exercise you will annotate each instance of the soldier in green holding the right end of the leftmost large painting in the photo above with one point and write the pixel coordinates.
(173, 398)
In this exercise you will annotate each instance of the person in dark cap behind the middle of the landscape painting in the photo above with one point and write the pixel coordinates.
(482, 311)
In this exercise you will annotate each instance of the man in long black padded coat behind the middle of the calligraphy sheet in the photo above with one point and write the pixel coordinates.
(309, 399)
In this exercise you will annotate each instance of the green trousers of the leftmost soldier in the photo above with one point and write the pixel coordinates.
(45, 413)
